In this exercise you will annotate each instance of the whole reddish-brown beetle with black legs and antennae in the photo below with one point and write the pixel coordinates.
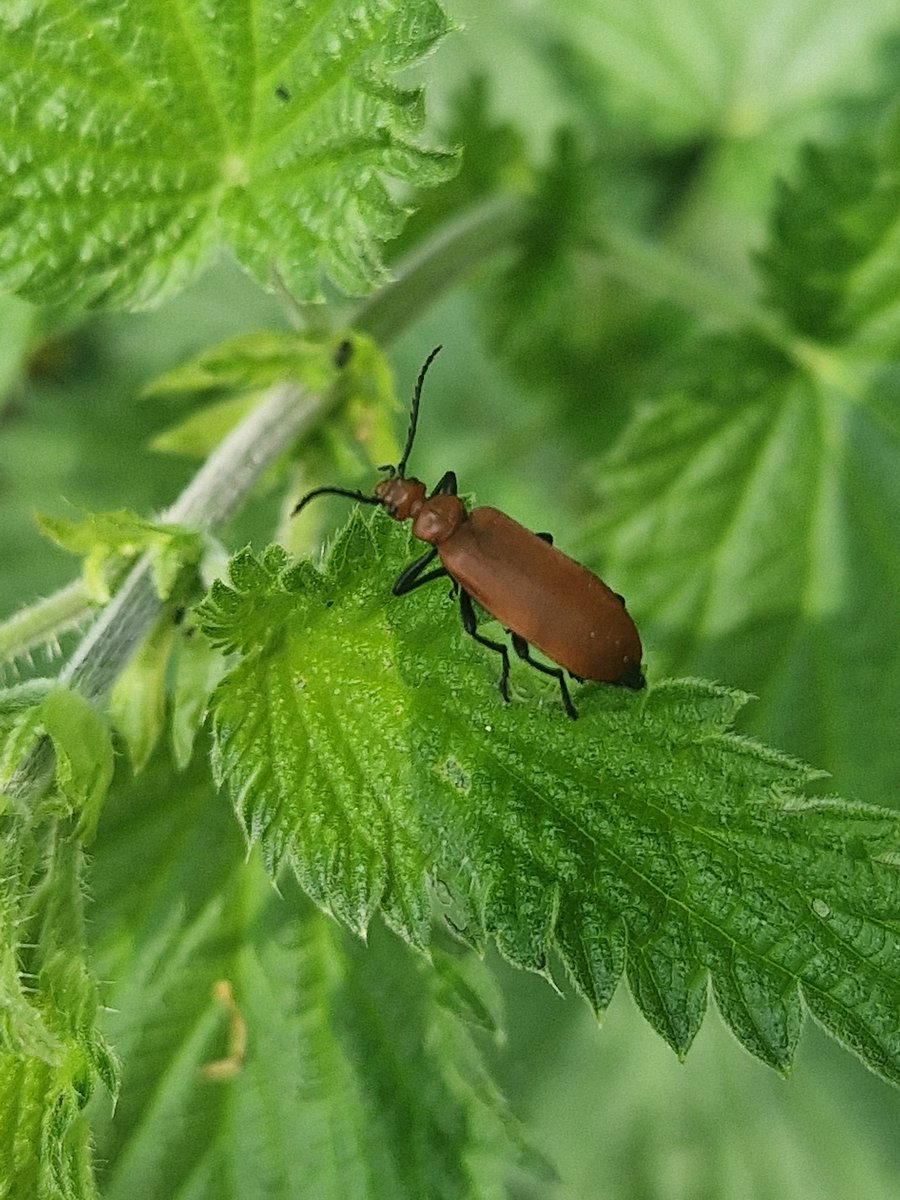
(542, 597)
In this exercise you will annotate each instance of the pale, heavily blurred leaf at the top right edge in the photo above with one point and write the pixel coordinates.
(679, 70)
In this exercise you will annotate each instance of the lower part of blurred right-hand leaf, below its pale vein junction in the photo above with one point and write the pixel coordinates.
(751, 515)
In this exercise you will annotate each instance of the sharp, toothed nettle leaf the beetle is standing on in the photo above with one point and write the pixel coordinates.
(364, 743)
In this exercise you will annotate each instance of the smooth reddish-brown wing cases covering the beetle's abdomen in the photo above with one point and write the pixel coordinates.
(550, 601)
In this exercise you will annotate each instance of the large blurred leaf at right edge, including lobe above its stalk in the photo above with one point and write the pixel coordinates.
(751, 509)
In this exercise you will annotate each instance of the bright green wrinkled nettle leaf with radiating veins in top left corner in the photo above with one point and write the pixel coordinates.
(140, 141)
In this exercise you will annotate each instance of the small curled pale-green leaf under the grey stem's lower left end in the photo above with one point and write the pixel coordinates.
(83, 743)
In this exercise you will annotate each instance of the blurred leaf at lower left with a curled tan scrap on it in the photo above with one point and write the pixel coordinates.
(356, 1078)
